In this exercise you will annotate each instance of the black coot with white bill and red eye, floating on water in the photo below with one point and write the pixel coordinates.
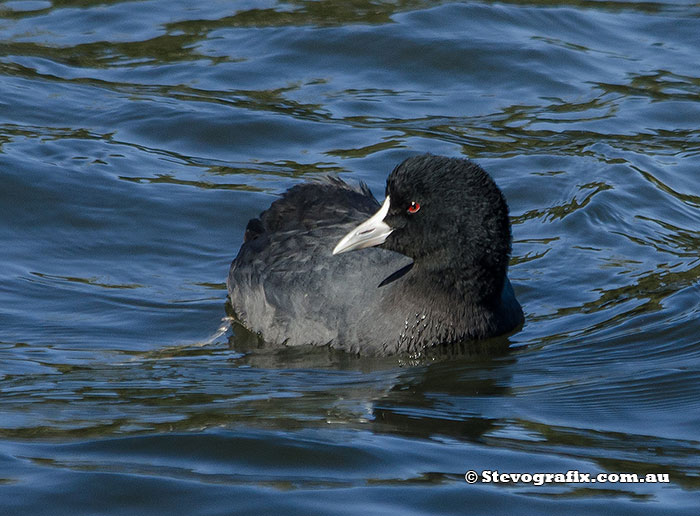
(431, 270)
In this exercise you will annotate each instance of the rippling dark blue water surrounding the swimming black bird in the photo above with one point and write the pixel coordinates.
(137, 139)
